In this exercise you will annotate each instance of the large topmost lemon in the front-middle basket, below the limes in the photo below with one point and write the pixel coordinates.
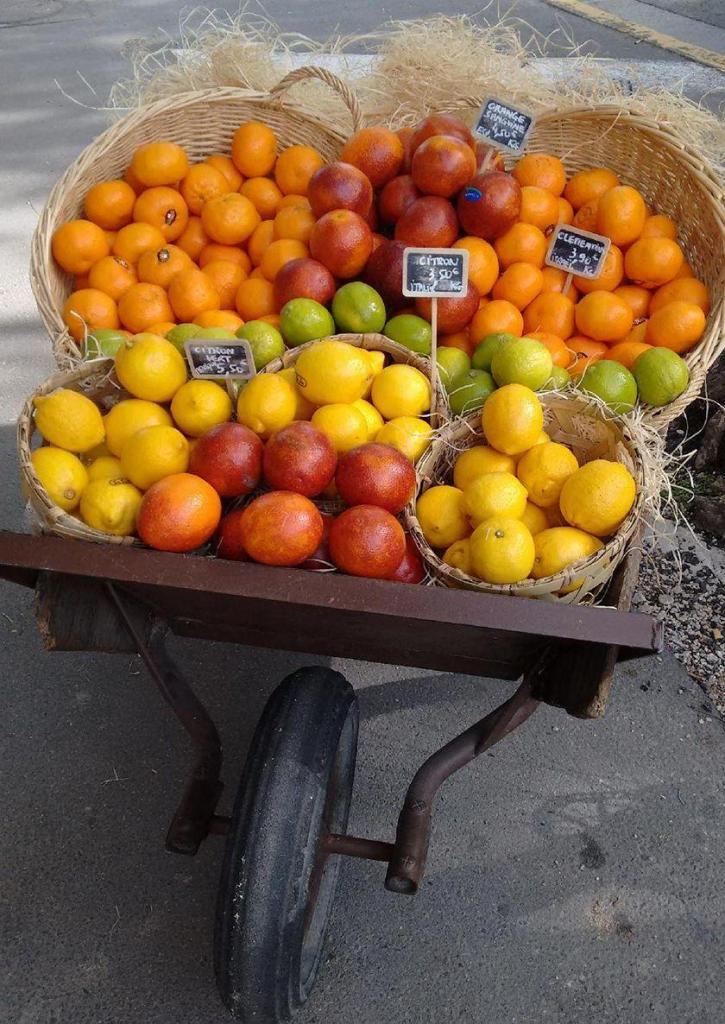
(333, 372)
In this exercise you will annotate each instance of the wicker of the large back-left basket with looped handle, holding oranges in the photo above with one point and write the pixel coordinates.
(203, 123)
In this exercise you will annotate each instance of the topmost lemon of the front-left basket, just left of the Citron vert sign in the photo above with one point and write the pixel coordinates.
(151, 368)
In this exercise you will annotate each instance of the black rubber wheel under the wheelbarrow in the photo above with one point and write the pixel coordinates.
(277, 886)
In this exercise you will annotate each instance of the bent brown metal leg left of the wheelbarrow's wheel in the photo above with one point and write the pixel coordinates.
(195, 818)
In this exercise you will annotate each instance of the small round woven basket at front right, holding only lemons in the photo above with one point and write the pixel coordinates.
(575, 421)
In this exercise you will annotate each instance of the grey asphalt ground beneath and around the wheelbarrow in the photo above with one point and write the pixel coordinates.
(577, 873)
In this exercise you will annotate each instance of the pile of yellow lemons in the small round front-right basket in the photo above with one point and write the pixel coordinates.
(521, 506)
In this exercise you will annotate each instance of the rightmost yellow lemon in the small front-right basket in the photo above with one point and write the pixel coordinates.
(598, 497)
